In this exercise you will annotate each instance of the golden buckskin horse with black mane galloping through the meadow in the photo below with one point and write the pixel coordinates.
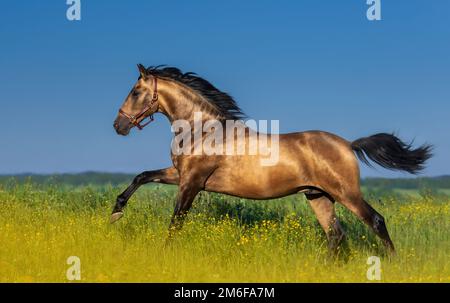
(318, 164)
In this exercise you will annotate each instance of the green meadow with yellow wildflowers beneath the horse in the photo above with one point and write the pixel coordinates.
(224, 239)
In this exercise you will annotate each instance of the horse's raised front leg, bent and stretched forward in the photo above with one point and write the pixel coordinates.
(164, 176)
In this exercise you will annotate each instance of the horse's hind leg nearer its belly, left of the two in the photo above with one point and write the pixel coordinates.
(324, 210)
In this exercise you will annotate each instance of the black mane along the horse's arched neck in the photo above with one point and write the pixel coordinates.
(225, 105)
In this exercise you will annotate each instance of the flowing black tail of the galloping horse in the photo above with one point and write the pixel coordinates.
(390, 152)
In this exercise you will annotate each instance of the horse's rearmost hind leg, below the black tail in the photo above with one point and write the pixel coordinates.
(371, 217)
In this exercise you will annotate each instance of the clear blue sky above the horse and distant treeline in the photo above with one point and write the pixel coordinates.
(314, 64)
